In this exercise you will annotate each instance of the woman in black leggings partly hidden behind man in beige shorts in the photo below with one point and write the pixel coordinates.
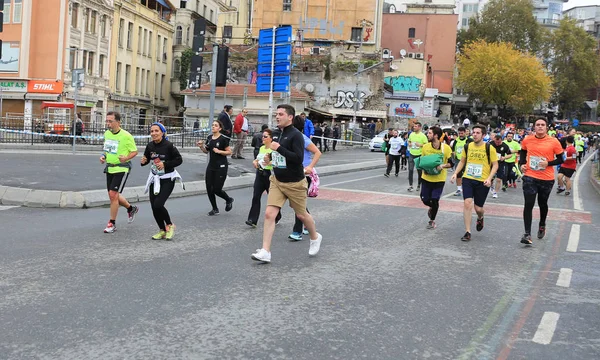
(262, 182)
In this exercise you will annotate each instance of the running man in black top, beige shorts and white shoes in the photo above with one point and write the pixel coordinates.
(287, 183)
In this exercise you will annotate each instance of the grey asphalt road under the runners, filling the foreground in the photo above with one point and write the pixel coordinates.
(382, 287)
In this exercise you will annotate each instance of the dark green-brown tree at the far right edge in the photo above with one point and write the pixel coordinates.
(573, 64)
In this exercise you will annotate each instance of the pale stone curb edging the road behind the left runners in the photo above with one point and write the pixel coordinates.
(95, 198)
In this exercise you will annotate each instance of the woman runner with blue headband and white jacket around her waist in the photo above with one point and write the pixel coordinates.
(164, 158)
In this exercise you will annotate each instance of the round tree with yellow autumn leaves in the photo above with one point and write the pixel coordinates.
(496, 73)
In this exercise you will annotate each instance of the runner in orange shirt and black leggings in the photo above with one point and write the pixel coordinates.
(538, 175)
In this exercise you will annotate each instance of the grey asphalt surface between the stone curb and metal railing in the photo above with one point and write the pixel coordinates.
(61, 170)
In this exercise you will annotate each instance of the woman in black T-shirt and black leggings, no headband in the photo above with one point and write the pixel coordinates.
(217, 146)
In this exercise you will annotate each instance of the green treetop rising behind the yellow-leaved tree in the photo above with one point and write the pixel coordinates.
(505, 21)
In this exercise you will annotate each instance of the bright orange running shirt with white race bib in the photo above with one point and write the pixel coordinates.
(537, 149)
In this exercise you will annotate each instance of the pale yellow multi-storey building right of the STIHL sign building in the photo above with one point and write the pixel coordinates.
(141, 58)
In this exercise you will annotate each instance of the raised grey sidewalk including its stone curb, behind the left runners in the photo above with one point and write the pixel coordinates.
(58, 178)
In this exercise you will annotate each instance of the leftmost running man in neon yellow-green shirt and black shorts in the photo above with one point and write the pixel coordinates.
(119, 149)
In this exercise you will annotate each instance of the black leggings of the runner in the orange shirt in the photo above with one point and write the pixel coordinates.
(531, 188)
